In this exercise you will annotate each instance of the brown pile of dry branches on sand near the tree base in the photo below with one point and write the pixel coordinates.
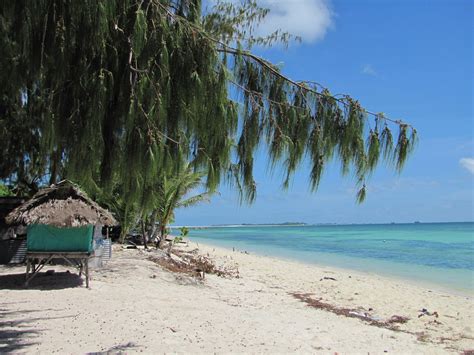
(193, 264)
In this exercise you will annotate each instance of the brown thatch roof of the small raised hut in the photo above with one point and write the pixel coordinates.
(61, 205)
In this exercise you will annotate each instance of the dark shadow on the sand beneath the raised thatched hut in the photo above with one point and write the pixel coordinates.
(42, 281)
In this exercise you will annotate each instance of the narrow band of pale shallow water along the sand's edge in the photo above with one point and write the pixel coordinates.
(417, 282)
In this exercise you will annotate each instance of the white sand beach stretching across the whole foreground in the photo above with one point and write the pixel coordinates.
(134, 305)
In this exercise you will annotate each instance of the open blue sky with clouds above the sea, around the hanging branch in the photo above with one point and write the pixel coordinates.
(409, 59)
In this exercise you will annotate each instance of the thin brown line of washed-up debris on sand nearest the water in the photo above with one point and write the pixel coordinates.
(390, 323)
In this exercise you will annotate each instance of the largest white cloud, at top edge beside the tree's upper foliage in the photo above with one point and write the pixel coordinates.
(309, 19)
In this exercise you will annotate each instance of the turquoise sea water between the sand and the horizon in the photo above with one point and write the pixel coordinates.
(433, 253)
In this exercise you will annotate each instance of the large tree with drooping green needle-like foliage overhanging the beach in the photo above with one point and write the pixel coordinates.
(113, 93)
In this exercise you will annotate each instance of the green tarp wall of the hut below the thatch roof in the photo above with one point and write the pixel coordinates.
(47, 238)
